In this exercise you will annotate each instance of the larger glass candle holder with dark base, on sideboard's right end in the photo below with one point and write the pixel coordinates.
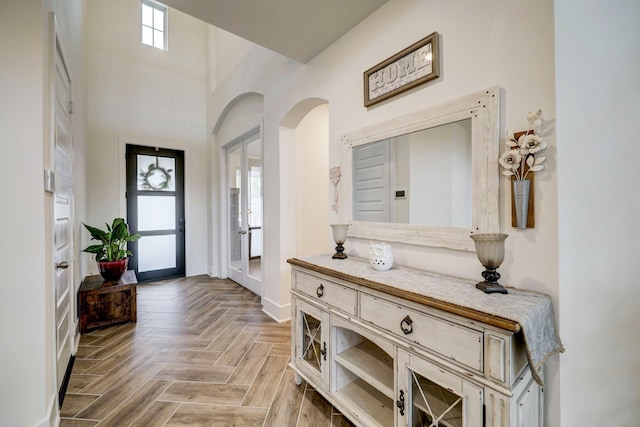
(490, 252)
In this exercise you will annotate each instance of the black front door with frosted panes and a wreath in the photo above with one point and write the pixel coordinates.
(155, 209)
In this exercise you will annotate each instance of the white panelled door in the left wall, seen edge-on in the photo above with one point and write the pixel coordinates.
(63, 218)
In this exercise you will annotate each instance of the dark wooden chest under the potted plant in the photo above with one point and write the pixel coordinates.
(107, 303)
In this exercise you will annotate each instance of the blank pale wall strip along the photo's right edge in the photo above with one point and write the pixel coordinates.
(597, 97)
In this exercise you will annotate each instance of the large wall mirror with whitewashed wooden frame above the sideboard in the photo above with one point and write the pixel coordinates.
(427, 178)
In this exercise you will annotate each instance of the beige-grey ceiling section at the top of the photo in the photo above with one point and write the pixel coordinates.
(297, 29)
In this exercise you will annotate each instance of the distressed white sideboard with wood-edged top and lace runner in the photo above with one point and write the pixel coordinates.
(386, 353)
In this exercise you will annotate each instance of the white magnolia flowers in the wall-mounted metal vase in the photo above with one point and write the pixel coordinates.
(523, 156)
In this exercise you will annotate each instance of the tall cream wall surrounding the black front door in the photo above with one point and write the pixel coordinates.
(142, 95)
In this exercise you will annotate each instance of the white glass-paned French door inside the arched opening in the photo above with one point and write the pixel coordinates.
(244, 220)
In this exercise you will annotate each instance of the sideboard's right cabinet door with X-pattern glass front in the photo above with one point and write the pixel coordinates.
(431, 396)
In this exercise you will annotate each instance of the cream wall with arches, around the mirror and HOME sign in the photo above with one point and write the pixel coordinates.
(483, 44)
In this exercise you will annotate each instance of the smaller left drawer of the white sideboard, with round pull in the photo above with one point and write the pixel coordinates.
(327, 292)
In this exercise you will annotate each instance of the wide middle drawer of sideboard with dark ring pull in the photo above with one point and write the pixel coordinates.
(461, 344)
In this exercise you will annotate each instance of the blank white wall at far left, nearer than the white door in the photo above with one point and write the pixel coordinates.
(26, 362)
